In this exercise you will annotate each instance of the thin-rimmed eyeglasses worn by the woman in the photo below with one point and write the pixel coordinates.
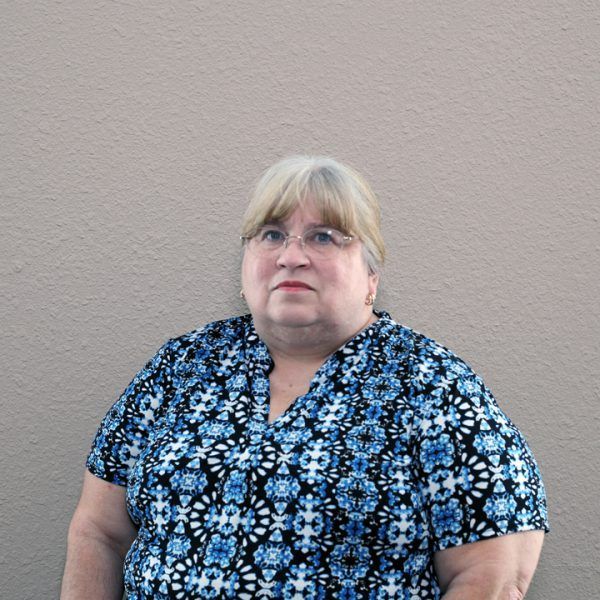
(318, 242)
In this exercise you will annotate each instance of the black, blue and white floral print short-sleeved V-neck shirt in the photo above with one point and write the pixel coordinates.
(398, 450)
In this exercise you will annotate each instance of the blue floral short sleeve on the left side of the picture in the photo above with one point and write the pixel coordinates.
(124, 431)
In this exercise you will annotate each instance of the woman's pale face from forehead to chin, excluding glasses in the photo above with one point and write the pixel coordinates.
(335, 290)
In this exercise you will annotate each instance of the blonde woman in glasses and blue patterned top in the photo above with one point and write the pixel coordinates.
(314, 448)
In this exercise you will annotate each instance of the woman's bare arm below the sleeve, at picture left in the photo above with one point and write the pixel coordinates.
(100, 535)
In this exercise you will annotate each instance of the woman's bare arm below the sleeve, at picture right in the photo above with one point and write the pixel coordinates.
(494, 569)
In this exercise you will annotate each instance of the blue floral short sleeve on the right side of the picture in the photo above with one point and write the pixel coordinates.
(478, 475)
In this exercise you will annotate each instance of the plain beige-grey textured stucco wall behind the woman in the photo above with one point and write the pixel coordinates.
(131, 133)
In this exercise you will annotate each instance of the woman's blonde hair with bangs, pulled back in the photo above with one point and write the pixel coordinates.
(340, 194)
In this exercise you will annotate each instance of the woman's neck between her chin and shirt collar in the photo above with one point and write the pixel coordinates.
(308, 345)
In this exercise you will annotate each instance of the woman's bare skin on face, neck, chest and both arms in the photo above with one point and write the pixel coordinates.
(301, 329)
